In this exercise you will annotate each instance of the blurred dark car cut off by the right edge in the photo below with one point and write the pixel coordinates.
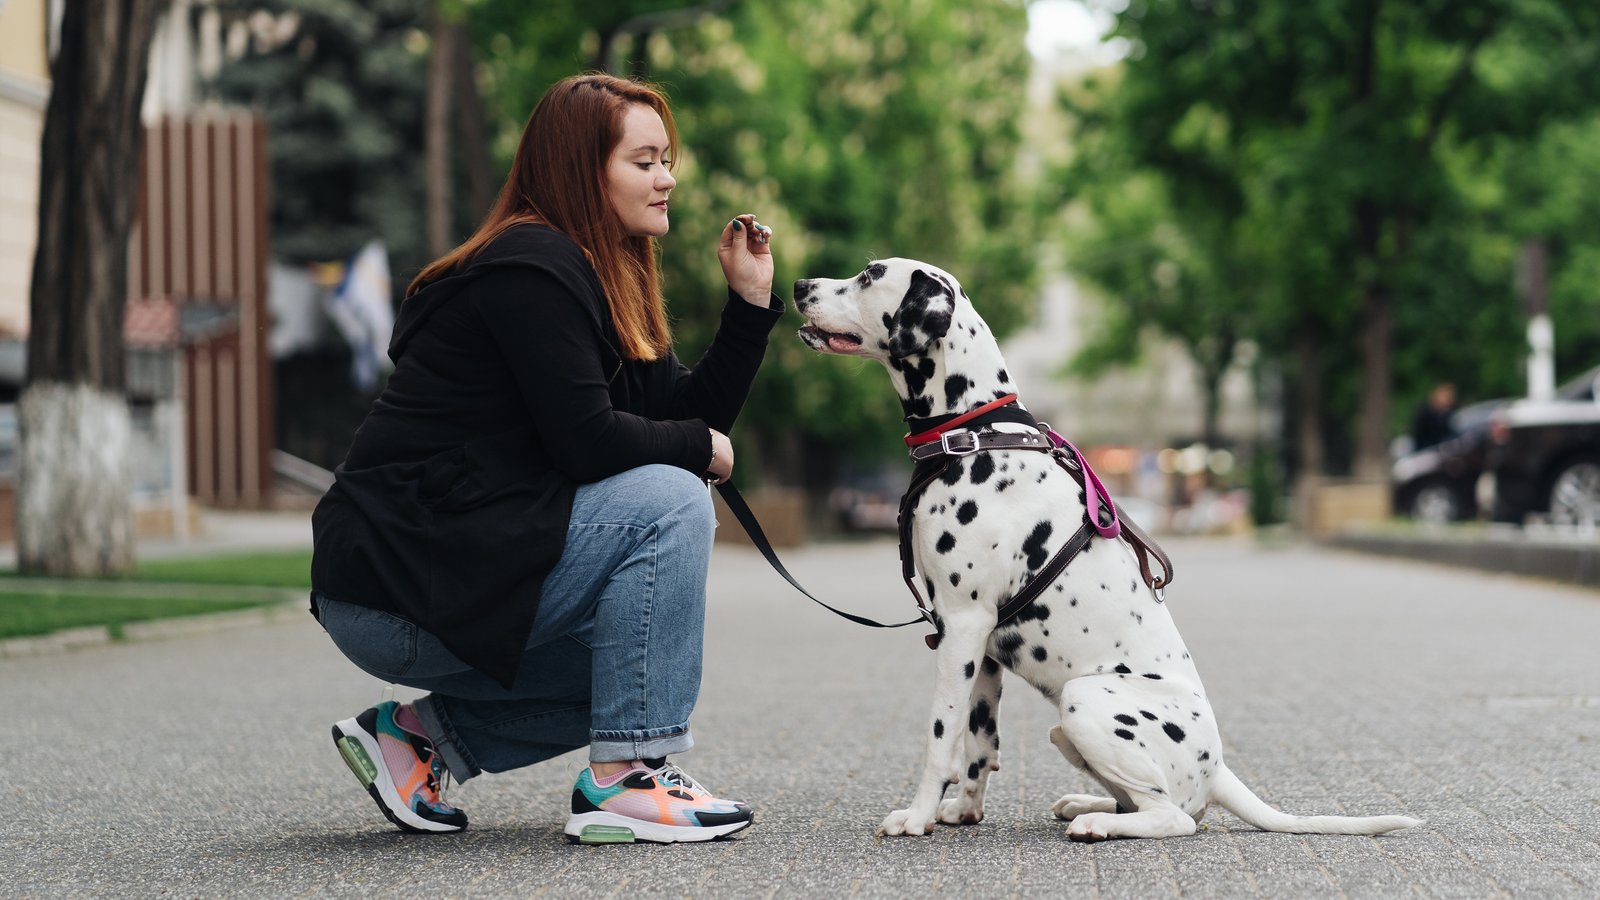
(1545, 457)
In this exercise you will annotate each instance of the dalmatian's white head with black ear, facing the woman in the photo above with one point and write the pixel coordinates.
(894, 310)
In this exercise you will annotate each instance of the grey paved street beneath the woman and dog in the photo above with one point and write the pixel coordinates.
(1345, 685)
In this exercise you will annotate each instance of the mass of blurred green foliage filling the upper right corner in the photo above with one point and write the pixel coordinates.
(1274, 166)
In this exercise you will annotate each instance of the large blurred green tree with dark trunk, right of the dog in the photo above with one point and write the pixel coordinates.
(1337, 140)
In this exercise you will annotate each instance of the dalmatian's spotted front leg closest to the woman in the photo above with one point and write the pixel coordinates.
(959, 656)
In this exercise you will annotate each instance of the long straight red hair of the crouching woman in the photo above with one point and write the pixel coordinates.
(559, 179)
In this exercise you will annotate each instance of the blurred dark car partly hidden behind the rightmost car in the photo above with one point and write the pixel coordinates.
(1439, 483)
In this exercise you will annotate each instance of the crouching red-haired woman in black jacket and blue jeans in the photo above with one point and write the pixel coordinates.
(522, 524)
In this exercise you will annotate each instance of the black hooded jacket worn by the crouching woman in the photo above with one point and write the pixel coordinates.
(510, 390)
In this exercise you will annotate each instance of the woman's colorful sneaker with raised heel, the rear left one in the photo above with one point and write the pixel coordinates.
(399, 769)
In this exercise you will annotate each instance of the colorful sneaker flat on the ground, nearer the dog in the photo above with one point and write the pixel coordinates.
(660, 806)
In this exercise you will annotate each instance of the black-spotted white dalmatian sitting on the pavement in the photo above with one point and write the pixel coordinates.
(1098, 643)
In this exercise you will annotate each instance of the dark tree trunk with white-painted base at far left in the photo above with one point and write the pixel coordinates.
(74, 513)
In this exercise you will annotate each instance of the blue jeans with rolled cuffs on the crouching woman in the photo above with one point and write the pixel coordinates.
(615, 656)
